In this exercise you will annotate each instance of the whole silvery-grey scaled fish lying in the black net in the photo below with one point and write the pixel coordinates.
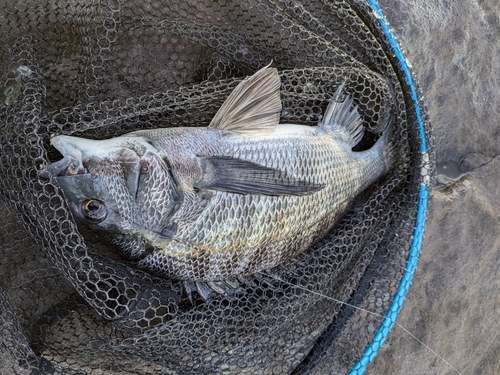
(237, 197)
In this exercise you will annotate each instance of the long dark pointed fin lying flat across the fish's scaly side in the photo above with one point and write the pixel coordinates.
(245, 177)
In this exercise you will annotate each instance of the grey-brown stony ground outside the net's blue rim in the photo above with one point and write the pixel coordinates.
(454, 303)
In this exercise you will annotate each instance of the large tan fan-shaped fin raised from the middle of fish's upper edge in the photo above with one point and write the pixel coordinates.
(254, 106)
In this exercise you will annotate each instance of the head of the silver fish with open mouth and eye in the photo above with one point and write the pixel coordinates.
(112, 186)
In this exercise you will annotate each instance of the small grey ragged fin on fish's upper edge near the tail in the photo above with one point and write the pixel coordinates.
(340, 118)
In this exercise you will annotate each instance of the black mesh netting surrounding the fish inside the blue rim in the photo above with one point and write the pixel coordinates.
(70, 305)
